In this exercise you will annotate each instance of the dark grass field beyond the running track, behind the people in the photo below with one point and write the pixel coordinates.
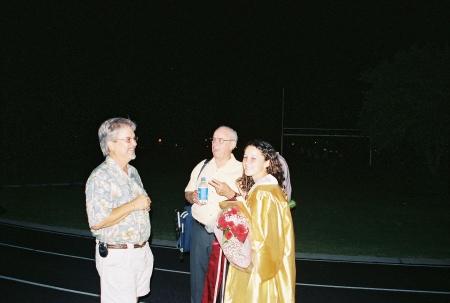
(335, 214)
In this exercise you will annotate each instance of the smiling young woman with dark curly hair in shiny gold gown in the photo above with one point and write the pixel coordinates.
(271, 276)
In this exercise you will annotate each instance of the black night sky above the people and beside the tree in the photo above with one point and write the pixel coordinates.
(181, 69)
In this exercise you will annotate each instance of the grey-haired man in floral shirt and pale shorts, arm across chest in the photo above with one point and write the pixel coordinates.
(117, 207)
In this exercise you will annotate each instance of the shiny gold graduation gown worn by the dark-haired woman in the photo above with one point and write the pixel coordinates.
(271, 277)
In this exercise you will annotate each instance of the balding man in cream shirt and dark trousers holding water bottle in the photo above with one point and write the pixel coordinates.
(221, 173)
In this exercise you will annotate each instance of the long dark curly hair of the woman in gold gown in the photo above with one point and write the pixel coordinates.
(274, 168)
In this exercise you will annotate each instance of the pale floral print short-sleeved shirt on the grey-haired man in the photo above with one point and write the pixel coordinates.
(109, 187)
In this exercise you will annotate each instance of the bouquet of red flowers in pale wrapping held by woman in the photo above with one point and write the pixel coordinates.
(233, 233)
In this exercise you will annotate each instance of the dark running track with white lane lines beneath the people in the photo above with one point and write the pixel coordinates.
(39, 265)
